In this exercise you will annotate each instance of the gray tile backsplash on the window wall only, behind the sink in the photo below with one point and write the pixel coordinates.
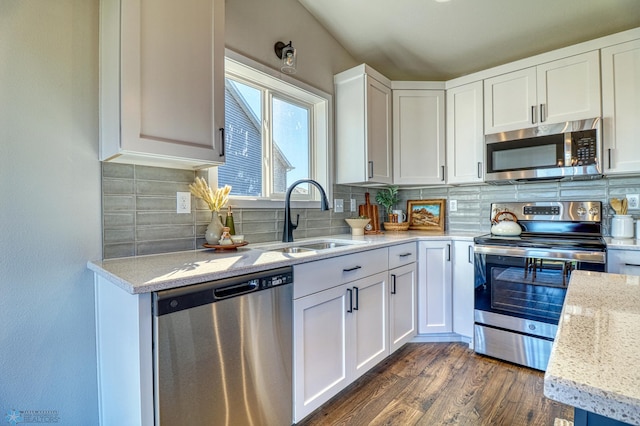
(139, 213)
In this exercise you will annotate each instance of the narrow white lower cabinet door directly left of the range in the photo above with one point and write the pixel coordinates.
(463, 288)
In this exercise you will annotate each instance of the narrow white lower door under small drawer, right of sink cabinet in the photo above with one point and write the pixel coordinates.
(402, 305)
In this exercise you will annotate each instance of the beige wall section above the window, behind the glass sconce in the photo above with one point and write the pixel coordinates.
(254, 26)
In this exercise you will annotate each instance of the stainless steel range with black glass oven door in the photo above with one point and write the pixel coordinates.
(521, 281)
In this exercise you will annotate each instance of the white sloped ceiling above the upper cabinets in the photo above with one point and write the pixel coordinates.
(431, 40)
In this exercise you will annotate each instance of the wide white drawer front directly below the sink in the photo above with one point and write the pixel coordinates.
(312, 277)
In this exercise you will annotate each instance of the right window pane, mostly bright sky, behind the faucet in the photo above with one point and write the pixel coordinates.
(290, 145)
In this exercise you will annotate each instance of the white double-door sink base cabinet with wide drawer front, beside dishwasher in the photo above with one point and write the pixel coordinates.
(339, 332)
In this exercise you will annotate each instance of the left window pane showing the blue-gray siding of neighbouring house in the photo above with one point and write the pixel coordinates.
(243, 145)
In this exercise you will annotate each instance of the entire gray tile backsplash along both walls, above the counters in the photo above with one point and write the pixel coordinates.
(139, 208)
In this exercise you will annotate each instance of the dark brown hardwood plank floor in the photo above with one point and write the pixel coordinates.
(443, 384)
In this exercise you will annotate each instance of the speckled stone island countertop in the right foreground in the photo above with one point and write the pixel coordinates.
(596, 354)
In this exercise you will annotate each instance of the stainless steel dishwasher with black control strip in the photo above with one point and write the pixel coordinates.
(223, 351)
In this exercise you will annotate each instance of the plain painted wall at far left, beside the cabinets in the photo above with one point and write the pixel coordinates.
(49, 207)
